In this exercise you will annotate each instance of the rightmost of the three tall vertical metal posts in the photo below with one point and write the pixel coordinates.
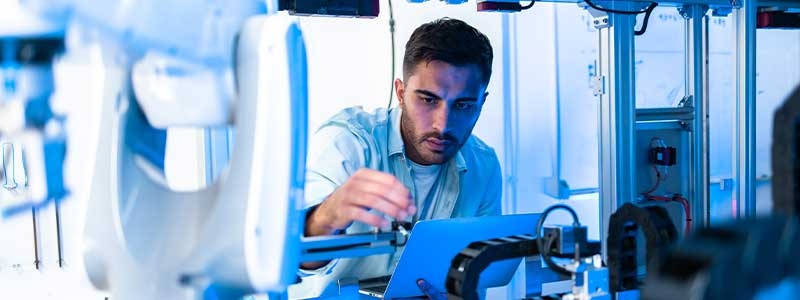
(744, 159)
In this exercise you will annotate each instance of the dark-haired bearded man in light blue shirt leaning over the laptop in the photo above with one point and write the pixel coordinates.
(414, 162)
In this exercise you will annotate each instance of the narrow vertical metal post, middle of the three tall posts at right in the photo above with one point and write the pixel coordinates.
(696, 35)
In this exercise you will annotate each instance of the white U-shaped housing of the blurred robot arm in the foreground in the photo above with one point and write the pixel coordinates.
(144, 241)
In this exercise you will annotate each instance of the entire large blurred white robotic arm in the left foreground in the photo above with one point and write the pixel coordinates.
(239, 235)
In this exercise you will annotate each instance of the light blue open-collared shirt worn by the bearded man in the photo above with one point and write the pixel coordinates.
(469, 184)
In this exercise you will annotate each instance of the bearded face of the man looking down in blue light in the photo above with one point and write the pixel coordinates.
(440, 105)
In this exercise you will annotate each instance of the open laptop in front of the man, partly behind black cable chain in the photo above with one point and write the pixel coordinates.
(432, 246)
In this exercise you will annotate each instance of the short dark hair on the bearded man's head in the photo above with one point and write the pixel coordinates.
(449, 40)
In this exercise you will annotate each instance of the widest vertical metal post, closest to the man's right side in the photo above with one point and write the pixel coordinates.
(617, 115)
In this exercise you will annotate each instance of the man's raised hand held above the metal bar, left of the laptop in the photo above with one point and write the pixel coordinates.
(365, 190)
